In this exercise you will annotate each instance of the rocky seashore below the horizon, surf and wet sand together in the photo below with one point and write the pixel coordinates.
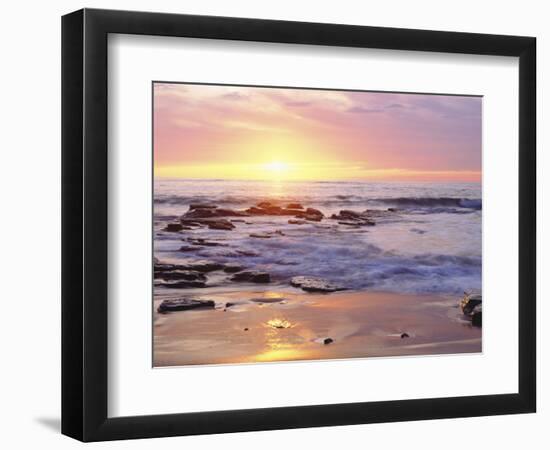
(267, 271)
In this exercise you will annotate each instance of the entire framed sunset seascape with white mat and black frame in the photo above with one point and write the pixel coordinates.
(272, 224)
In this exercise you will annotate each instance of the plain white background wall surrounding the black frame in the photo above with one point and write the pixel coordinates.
(30, 226)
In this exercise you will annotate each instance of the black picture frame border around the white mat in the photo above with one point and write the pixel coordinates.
(84, 224)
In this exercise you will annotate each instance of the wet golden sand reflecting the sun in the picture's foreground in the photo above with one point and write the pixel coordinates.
(282, 325)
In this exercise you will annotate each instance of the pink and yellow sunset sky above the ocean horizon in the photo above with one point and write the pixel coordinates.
(252, 133)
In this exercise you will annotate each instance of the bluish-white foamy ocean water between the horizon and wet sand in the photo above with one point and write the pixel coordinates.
(430, 241)
